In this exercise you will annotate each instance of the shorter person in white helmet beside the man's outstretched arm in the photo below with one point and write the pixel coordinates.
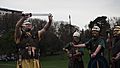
(74, 54)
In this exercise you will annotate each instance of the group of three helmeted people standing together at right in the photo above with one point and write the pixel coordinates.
(96, 47)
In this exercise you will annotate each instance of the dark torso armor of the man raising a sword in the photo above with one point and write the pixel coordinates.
(28, 45)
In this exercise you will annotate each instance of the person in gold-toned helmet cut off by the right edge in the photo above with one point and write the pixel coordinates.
(116, 47)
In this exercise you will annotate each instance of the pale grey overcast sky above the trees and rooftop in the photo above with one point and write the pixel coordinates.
(81, 11)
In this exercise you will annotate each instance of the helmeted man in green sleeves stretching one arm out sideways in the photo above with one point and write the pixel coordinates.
(96, 47)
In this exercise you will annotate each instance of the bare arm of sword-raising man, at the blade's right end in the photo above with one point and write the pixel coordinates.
(45, 28)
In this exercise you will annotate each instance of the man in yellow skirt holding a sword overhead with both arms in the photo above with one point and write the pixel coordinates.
(27, 41)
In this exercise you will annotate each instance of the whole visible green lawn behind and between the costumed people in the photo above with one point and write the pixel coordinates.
(58, 61)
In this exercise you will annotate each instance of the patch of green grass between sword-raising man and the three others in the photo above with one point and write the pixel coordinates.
(59, 61)
